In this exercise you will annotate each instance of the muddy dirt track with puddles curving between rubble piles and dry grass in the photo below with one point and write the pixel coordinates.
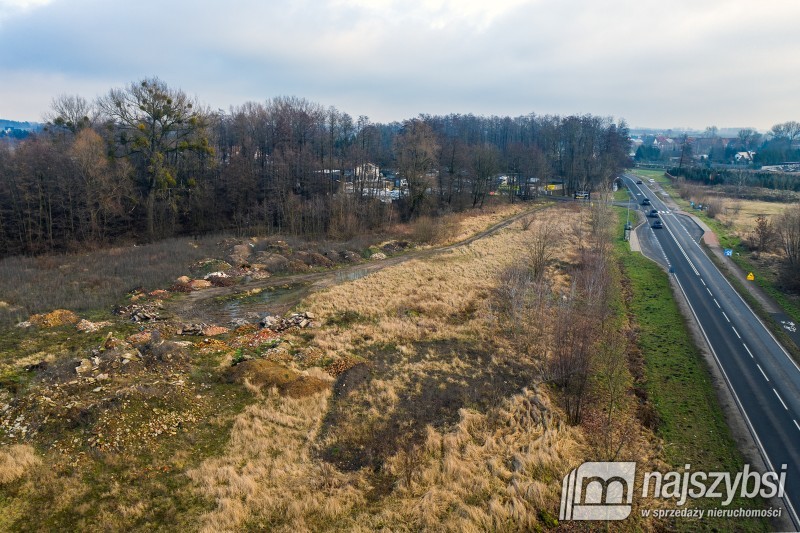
(221, 305)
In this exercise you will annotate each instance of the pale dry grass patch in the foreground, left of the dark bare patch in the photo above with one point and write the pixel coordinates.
(269, 478)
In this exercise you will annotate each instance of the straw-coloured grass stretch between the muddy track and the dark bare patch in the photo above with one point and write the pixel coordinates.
(443, 297)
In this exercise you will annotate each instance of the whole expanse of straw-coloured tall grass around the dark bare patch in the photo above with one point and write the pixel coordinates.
(492, 468)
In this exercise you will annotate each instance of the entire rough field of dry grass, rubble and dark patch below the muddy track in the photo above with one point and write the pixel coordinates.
(417, 401)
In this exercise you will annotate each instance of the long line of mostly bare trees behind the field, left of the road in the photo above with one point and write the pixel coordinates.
(147, 161)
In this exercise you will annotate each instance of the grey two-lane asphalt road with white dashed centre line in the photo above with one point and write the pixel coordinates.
(762, 377)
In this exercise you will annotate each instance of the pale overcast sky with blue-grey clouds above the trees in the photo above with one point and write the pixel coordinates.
(683, 63)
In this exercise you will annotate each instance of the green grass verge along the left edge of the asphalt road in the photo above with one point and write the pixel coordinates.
(679, 386)
